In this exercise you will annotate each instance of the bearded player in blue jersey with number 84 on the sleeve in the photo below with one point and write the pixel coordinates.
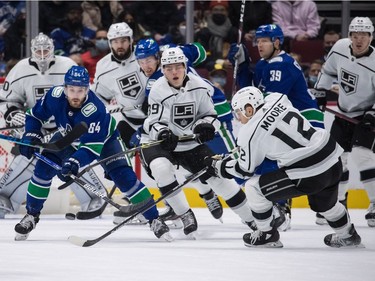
(71, 104)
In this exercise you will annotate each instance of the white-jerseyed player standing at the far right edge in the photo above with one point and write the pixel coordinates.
(352, 62)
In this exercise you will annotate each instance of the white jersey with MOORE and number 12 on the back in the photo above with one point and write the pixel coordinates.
(279, 132)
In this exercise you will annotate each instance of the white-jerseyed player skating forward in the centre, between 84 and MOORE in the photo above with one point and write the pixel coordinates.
(180, 104)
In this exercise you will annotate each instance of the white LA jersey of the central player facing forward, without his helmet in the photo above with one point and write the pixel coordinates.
(179, 109)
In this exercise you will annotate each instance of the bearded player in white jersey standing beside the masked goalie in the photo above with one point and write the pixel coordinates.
(118, 77)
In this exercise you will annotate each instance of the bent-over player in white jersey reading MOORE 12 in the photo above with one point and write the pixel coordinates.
(308, 159)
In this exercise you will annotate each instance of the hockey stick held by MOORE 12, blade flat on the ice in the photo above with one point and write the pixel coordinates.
(87, 243)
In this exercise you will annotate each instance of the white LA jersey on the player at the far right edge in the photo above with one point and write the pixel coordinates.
(356, 78)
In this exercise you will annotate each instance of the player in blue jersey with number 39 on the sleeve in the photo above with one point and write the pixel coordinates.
(277, 71)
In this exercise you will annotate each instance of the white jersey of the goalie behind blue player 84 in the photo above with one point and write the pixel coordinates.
(25, 84)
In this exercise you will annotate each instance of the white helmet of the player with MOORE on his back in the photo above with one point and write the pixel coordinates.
(248, 95)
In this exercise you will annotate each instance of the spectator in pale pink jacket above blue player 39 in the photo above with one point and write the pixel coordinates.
(299, 19)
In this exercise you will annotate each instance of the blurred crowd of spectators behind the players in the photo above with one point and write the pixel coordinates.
(78, 28)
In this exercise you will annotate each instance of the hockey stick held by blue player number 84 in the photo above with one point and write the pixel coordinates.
(128, 210)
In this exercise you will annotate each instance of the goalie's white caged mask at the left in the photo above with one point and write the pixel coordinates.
(42, 51)
